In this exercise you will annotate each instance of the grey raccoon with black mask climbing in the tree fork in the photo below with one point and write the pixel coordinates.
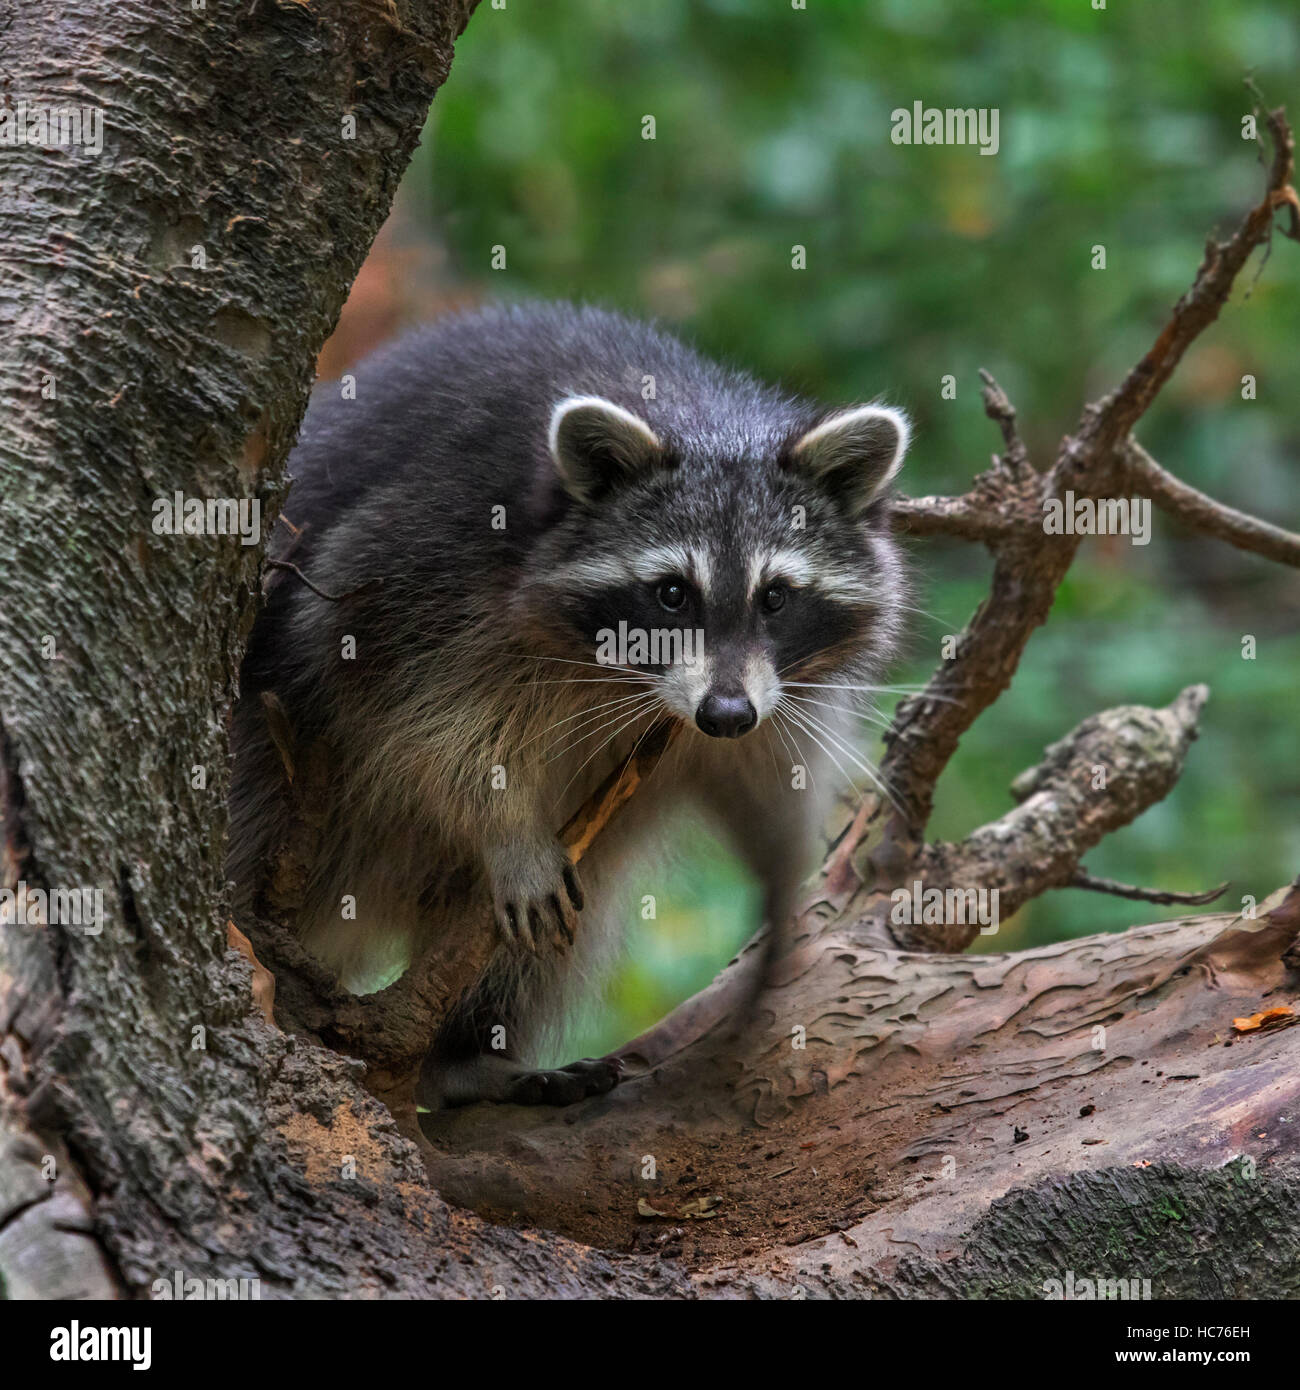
(555, 528)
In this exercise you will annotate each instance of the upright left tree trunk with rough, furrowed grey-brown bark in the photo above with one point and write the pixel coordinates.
(229, 136)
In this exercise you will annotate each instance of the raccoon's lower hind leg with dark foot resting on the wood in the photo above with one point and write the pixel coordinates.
(466, 1065)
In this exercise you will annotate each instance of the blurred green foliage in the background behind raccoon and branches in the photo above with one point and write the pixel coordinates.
(1119, 127)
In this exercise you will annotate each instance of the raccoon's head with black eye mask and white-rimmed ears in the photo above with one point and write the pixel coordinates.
(724, 565)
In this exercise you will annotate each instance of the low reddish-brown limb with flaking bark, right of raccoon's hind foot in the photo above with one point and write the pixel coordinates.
(945, 1125)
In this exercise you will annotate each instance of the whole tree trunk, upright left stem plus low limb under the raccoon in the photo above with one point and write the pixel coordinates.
(884, 1122)
